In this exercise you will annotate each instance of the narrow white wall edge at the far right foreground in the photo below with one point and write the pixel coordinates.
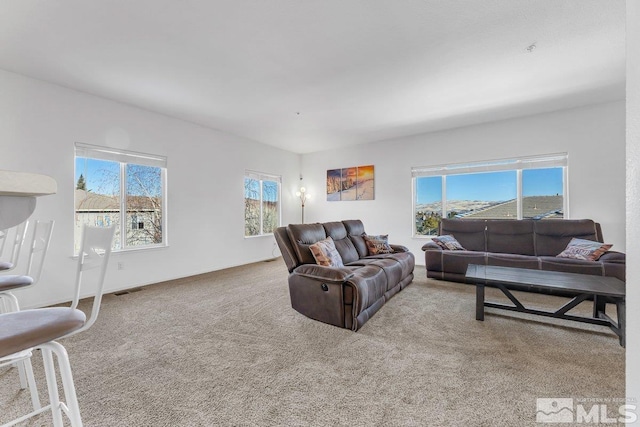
(633, 201)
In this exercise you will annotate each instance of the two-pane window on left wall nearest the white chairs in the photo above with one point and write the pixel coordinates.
(124, 189)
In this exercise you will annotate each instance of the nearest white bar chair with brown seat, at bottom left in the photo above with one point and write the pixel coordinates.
(22, 332)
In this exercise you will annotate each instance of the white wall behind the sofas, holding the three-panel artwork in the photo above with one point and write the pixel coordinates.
(593, 136)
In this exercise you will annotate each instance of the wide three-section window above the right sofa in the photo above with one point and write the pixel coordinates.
(531, 187)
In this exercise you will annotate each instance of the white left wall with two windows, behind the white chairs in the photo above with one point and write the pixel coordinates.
(40, 124)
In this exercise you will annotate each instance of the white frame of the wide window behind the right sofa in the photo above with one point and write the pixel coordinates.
(515, 164)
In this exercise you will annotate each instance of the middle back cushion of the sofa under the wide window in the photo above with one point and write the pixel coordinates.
(510, 236)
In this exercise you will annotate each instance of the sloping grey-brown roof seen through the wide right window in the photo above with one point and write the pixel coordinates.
(536, 207)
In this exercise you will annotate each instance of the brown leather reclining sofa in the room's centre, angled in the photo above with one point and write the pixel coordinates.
(342, 296)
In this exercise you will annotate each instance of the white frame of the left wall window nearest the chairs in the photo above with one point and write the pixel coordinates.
(125, 157)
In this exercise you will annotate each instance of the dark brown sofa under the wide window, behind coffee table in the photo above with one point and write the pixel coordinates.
(530, 244)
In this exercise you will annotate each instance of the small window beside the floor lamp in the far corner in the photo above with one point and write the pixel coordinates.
(261, 203)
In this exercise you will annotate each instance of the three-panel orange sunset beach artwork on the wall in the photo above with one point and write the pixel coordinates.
(348, 184)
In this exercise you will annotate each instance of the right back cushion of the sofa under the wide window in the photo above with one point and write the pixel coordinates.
(553, 235)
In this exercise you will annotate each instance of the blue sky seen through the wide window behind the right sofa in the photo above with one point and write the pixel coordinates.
(490, 186)
